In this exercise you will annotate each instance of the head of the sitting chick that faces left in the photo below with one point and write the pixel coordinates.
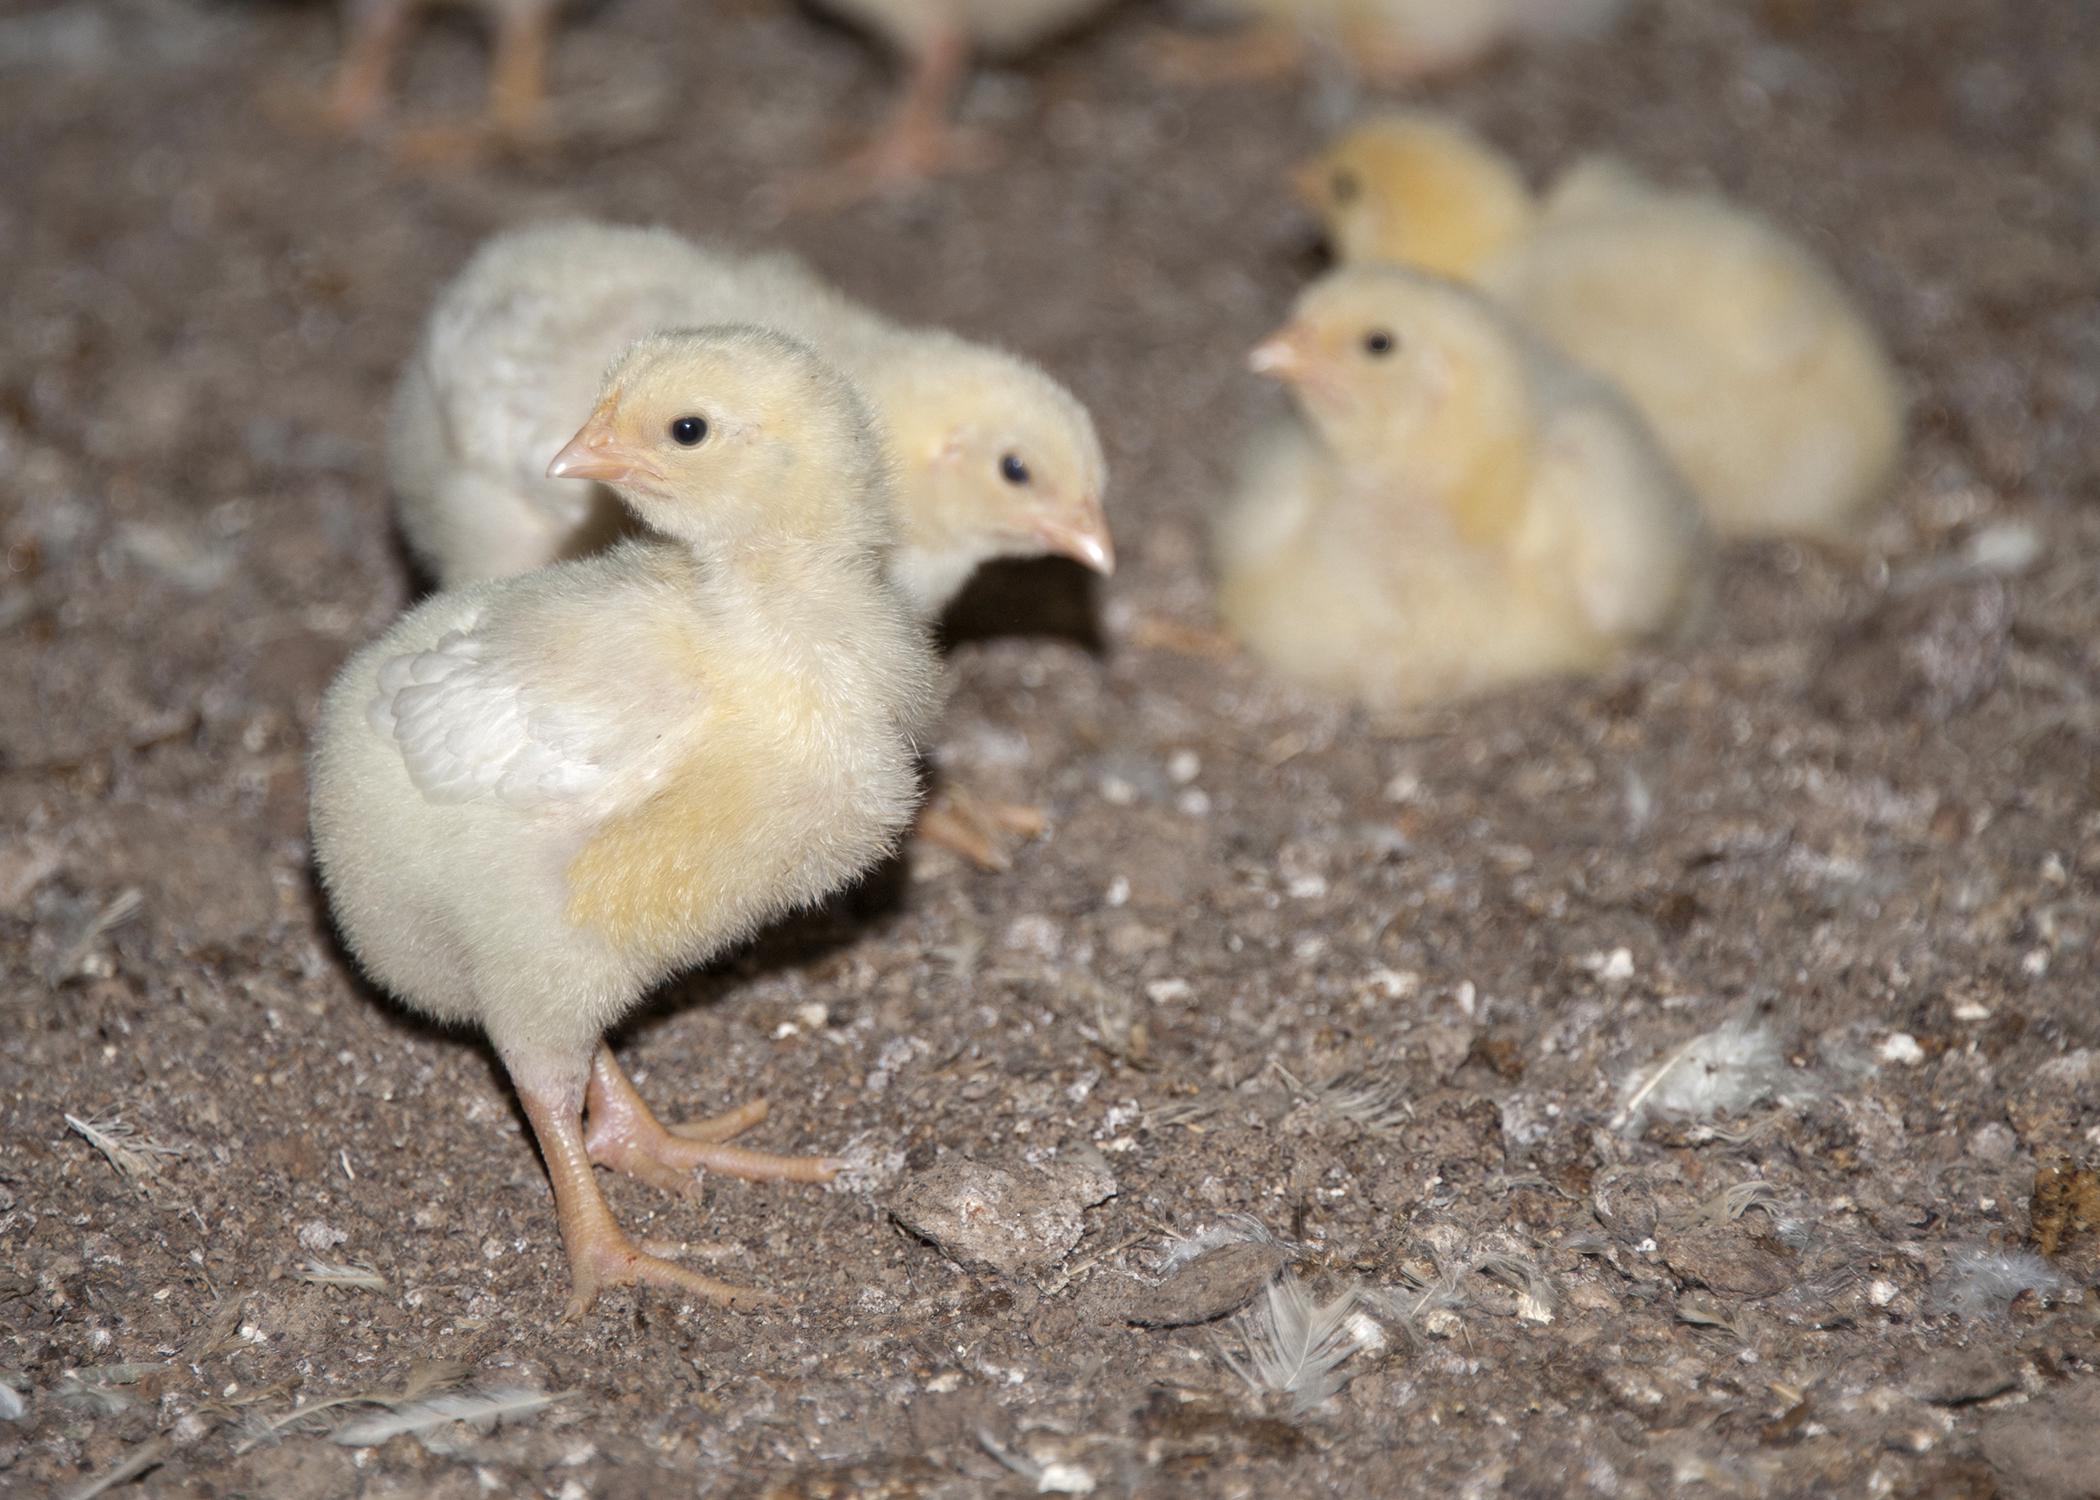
(1414, 383)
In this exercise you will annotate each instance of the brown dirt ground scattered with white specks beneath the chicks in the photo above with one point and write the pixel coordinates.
(1862, 820)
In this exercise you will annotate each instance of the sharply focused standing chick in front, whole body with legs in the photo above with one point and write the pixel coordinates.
(539, 797)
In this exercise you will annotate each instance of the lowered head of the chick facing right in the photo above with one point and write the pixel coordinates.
(994, 459)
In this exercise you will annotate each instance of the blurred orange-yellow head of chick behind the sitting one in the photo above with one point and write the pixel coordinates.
(1416, 190)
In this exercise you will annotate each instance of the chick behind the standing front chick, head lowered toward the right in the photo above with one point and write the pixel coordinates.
(992, 457)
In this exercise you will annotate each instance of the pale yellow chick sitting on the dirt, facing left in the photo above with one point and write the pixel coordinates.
(1461, 509)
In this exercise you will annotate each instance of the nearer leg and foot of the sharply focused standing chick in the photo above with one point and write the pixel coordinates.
(600, 1251)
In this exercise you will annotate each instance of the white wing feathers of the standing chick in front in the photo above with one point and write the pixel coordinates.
(469, 730)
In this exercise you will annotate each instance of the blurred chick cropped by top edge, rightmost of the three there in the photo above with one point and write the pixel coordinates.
(1387, 41)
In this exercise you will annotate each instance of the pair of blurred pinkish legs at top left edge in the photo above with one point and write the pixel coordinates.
(375, 33)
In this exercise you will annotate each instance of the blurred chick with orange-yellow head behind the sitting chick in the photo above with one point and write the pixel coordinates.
(1763, 381)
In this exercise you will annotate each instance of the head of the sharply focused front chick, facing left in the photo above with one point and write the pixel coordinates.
(721, 434)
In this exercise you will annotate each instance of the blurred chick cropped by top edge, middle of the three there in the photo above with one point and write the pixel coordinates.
(940, 41)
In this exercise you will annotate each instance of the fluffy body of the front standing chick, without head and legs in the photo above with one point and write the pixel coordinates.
(534, 797)
